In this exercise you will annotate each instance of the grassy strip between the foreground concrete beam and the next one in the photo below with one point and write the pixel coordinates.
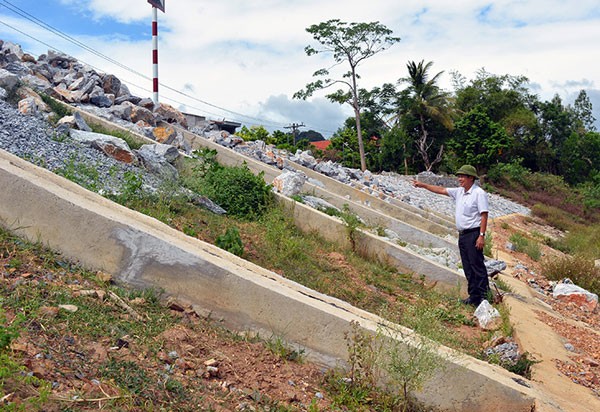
(274, 242)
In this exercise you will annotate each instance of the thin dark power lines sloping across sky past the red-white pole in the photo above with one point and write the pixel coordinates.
(82, 45)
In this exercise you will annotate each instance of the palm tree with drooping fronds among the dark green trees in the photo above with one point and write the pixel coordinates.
(427, 102)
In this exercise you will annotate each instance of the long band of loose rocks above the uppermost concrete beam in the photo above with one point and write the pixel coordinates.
(64, 78)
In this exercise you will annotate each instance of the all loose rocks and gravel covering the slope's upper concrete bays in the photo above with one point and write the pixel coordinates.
(67, 146)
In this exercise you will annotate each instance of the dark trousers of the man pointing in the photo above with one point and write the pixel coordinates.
(475, 271)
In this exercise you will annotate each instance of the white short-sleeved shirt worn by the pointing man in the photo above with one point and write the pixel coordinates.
(469, 206)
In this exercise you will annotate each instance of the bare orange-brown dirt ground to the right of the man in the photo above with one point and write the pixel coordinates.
(563, 337)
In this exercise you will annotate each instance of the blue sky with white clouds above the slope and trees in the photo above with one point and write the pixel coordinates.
(243, 61)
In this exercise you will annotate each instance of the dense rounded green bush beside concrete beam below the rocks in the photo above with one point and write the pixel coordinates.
(241, 193)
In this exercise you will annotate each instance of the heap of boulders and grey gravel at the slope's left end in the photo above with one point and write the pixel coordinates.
(23, 78)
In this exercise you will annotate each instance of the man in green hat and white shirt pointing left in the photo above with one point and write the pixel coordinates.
(471, 216)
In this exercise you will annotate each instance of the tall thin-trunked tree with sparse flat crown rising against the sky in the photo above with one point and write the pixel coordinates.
(350, 43)
